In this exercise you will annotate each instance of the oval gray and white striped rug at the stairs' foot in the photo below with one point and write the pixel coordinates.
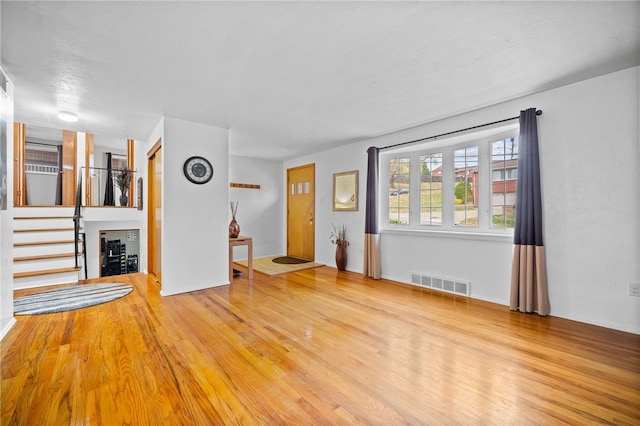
(68, 298)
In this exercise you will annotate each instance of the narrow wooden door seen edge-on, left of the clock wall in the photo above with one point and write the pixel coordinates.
(154, 211)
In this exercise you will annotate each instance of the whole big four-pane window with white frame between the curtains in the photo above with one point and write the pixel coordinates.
(464, 184)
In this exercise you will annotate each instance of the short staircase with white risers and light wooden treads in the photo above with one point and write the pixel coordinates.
(43, 247)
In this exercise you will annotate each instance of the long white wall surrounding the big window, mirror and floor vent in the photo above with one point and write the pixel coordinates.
(589, 149)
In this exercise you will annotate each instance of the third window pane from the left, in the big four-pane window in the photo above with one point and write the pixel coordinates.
(466, 187)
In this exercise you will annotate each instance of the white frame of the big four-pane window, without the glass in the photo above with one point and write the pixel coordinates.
(483, 140)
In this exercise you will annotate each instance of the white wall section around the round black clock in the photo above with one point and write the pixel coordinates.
(194, 217)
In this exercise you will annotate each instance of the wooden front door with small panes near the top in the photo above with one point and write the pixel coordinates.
(301, 211)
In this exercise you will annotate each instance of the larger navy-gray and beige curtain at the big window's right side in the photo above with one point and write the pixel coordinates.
(529, 292)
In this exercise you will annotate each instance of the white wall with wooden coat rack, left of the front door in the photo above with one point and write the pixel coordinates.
(260, 211)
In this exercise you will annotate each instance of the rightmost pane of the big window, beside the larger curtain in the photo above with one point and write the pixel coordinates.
(504, 160)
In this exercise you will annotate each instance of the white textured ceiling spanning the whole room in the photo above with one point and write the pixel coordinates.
(290, 78)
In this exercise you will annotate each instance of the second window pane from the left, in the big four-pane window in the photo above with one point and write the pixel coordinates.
(431, 189)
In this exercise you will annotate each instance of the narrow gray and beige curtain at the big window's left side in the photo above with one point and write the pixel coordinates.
(371, 229)
